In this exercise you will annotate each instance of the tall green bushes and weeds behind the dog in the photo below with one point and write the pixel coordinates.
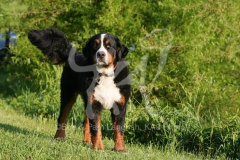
(191, 103)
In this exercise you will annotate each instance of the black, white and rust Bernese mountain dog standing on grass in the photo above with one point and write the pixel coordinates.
(102, 81)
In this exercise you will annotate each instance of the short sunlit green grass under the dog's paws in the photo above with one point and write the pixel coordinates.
(23, 137)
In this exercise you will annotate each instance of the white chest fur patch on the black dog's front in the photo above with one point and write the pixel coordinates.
(106, 92)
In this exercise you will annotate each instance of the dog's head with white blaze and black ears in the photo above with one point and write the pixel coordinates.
(105, 51)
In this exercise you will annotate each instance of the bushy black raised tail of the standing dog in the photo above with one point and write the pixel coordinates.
(52, 43)
